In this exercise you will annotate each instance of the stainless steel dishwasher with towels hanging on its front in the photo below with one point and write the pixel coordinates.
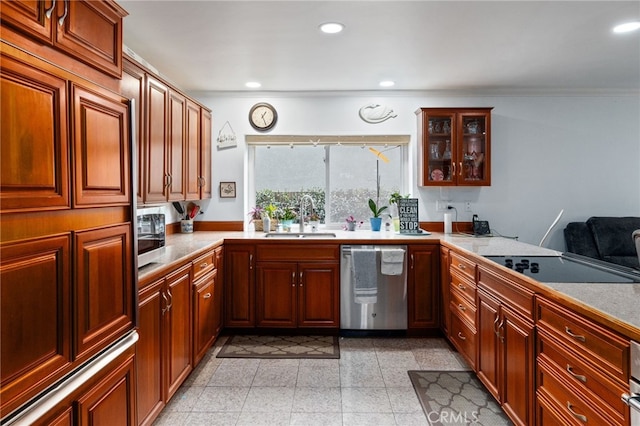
(373, 287)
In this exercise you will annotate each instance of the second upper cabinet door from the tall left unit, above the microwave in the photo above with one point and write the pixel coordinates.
(157, 176)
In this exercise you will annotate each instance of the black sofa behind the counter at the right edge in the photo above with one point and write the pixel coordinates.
(604, 238)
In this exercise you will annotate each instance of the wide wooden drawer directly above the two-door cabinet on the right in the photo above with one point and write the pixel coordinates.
(518, 298)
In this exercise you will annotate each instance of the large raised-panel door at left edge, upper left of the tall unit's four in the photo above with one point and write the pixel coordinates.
(34, 168)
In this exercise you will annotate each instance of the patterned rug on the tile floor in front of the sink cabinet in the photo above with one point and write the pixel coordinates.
(281, 347)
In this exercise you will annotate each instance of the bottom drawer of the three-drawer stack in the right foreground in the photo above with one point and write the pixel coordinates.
(571, 404)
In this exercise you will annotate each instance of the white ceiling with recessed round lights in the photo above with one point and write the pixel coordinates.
(421, 45)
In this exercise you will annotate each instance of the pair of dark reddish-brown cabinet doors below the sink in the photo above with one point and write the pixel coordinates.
(291, 294)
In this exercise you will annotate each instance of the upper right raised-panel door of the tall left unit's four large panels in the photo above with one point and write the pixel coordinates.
(101, 146)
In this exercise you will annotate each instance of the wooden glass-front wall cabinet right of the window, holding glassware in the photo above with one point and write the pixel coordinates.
(454, 146)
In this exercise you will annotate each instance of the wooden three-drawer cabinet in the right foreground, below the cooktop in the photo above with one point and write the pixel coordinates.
(582, 368)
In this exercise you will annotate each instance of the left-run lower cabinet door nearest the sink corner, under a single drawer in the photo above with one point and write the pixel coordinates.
(204, 323)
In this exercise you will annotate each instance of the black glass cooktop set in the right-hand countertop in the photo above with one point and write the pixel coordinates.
(568, 268)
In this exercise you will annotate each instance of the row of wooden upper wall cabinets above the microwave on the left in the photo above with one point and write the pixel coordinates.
(173, 138)
